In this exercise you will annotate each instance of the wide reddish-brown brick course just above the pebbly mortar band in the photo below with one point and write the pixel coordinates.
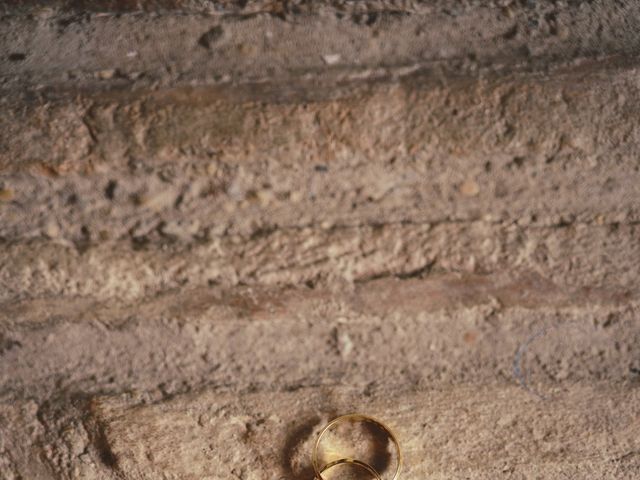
(419, 122)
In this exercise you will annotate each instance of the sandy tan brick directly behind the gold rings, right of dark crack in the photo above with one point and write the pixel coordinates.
(481, 433)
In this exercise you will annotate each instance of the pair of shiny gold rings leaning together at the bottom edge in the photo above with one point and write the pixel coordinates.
(354, 417)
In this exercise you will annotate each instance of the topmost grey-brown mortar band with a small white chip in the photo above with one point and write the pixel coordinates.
(49, 46)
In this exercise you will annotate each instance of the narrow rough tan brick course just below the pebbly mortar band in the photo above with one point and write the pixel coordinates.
(319, 257)
